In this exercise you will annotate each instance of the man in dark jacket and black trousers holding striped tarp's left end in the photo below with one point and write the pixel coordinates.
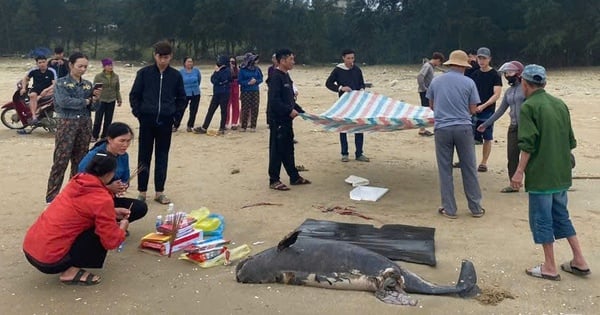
(282, 111)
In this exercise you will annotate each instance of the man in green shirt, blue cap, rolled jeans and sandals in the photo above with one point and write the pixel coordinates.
(546, 140)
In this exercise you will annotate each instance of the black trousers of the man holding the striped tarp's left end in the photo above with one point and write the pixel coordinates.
(281, 151)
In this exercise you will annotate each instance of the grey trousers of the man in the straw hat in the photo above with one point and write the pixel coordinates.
(461, 138)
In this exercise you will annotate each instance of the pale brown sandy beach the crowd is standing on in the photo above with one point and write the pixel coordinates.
(200, 174)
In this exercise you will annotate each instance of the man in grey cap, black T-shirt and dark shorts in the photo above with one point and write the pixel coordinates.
(489, 86)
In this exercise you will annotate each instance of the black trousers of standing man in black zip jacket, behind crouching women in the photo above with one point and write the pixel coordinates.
(154, 133)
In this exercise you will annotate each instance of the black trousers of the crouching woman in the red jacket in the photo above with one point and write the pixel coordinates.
(86, 252)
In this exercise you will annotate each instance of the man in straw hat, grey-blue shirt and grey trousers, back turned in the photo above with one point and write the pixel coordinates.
(453, 98)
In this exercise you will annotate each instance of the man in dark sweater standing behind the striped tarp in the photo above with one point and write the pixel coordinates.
(347, 77)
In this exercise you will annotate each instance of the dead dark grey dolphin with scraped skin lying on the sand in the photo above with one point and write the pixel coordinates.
(340, 265)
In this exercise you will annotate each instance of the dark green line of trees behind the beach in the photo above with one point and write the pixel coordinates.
(550, 32)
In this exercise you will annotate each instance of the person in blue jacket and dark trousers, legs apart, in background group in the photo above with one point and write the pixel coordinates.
(221, 80)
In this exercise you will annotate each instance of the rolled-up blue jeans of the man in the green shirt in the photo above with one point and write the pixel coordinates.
(549, 217)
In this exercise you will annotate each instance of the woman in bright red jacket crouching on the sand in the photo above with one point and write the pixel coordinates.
(79, 226)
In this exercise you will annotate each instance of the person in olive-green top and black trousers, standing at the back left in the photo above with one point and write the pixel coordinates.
(111, 94)
